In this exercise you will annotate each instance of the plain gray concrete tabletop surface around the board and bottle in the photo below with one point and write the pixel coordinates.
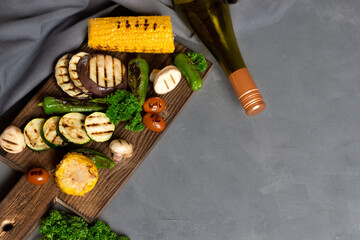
(292, 172)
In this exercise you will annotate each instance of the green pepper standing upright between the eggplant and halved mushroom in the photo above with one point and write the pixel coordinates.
(138, 78)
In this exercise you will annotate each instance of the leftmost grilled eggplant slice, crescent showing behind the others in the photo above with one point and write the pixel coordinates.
(63, 79)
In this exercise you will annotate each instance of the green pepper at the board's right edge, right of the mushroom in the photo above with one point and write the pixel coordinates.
(189, 70)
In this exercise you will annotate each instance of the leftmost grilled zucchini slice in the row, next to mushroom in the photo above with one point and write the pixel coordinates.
(32, 134)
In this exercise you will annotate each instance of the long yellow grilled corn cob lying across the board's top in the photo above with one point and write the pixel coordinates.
(144, 34)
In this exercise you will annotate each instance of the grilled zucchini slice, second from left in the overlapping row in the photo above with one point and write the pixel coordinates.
(50, 135)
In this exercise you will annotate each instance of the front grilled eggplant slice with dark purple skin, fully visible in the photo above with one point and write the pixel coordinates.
(102, 74)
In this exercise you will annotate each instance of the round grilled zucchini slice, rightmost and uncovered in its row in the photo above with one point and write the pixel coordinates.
(98, 127)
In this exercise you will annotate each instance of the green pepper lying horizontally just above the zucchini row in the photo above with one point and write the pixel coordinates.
(53, 105)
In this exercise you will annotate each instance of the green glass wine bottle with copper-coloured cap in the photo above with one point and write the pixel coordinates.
(211, 21)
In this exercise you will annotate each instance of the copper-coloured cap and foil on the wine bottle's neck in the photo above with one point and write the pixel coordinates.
(247, 92)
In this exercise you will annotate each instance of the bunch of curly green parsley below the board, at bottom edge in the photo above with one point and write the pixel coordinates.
(60, 225)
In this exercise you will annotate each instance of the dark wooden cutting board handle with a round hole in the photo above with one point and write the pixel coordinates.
(23, 207)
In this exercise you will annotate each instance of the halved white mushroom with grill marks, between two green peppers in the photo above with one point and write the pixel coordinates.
(166, 79)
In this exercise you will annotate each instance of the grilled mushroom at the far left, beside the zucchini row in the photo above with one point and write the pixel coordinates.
(12, 140)
